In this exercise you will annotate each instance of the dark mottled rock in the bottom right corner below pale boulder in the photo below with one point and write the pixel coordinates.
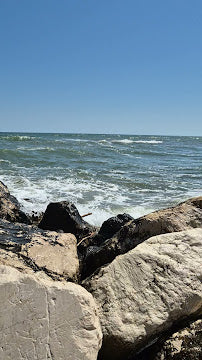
(184, 344)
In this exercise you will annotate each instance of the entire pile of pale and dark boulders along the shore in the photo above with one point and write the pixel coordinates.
(130, 289)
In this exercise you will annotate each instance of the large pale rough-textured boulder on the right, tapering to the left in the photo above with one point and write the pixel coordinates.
(144, 292)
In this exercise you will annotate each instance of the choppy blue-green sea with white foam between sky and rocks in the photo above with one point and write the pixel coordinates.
(100, 173)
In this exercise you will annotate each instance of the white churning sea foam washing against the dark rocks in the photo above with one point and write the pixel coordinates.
(95, 197)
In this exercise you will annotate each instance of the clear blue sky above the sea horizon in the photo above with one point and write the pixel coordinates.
(108, 66)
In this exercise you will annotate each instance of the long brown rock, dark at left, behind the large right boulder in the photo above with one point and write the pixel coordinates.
(184, 216)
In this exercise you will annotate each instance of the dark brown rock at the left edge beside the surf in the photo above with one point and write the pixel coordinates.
(10, 208)
